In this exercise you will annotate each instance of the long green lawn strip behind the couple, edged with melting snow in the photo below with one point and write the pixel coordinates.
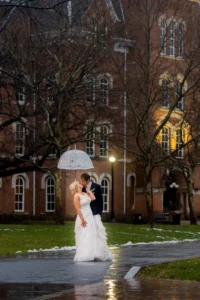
(15, 238)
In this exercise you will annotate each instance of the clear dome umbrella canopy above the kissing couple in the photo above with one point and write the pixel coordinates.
(75, 160)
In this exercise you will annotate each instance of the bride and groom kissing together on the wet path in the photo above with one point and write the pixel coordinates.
(90, 234)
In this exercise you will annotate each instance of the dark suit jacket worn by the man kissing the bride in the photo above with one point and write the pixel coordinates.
(97, 204)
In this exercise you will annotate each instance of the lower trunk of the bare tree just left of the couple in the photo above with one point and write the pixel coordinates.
(59, 218)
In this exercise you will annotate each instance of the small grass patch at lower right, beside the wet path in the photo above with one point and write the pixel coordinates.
(184, 270)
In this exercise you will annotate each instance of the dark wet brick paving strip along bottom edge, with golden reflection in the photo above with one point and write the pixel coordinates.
(138, 289)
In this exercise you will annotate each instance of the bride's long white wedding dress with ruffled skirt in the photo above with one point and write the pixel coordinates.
(91, 241)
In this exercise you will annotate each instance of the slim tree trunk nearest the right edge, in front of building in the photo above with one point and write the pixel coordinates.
(193, 218)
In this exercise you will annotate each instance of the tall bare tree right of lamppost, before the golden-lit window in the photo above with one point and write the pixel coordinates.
(161, 74)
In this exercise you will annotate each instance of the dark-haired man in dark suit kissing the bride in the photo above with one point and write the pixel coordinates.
(97, 204)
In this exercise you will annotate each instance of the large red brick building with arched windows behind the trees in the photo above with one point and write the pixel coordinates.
(152, 45)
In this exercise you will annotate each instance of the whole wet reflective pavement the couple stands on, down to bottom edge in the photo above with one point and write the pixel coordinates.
(54, 275)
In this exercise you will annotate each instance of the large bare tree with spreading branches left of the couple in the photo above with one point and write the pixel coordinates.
(47, 101)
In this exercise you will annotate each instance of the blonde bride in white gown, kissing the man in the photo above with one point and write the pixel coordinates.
(89, 245)
